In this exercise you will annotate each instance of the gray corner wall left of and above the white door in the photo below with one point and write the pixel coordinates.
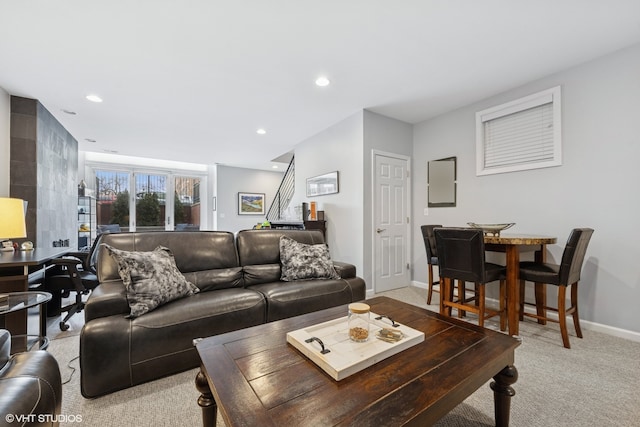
(347, 147)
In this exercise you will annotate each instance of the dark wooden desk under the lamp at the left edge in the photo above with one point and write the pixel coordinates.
(14, 277)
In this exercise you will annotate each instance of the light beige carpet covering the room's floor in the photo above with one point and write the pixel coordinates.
(593, 384)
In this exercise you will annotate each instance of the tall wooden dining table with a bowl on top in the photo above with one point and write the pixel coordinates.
(511, 245)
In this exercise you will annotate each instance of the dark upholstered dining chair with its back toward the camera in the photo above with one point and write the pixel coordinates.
(461, 256)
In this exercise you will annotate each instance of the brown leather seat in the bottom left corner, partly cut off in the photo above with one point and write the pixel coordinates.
(30, 386)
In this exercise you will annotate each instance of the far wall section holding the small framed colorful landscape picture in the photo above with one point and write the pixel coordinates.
(231, 181)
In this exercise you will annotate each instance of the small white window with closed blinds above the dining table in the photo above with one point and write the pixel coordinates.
(520, 135)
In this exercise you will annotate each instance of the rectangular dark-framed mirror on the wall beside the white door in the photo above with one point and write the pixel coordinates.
(441, 180)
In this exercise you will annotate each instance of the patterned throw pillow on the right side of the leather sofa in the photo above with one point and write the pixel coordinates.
(301, 261)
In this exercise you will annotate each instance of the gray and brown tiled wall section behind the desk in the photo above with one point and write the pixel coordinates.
(44, 171)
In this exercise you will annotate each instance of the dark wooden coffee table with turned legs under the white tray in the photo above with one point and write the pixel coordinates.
(256, 379)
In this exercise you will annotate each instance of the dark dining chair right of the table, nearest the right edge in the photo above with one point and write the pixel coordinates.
(566, 274)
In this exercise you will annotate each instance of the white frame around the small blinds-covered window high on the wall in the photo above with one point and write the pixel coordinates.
(552, 96)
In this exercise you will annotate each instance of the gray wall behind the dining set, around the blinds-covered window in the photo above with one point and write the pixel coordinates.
(595, 186)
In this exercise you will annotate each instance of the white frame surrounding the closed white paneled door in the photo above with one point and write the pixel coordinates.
(372, 231)
